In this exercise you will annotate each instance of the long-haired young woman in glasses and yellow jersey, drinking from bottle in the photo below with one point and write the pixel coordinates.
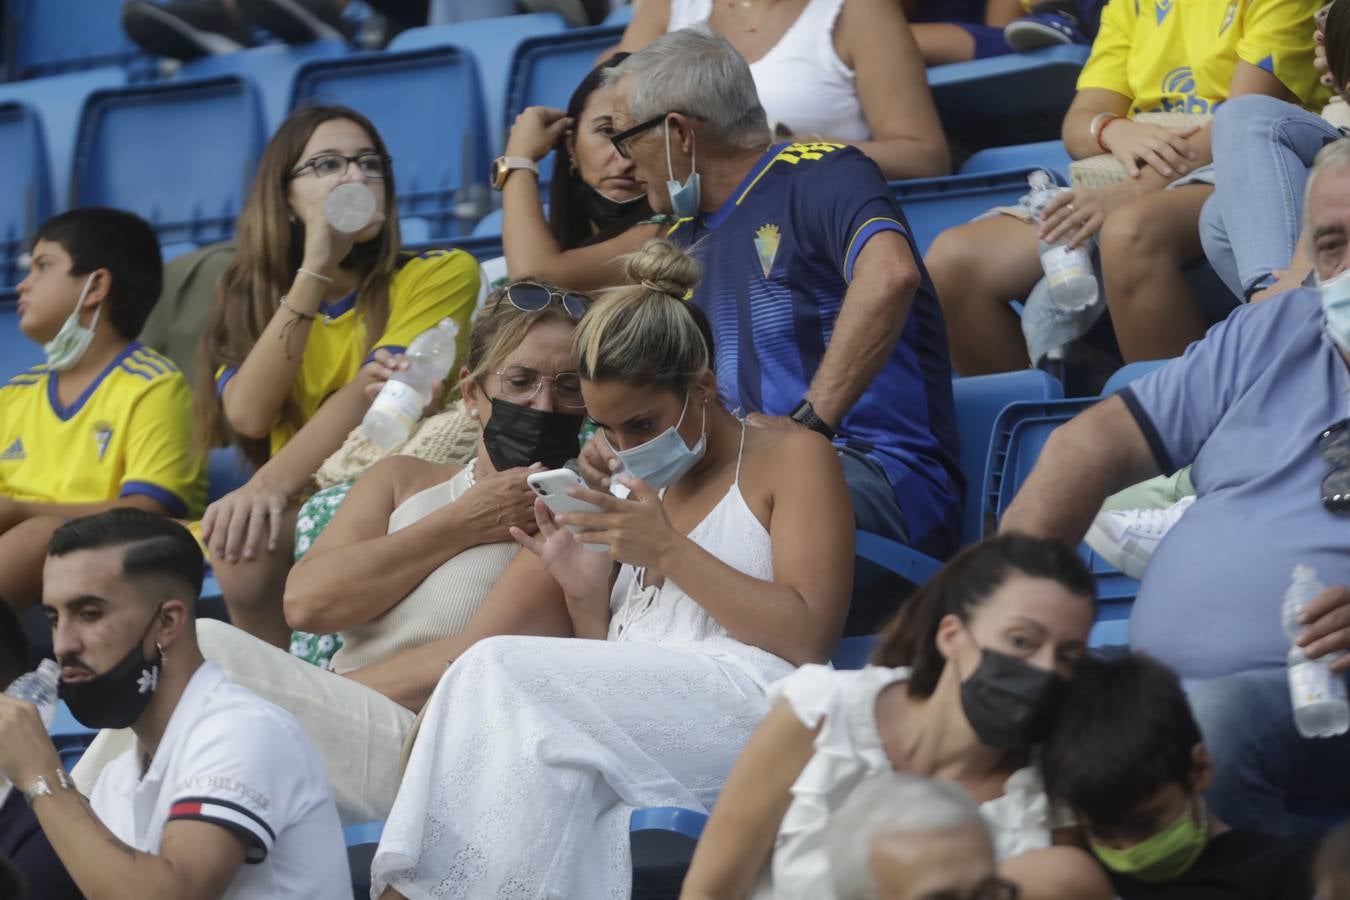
(284, 385)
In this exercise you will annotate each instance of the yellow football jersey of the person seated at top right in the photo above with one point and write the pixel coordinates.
(1179, 56)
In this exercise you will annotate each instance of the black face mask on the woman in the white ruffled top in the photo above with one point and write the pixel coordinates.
(1009, 702)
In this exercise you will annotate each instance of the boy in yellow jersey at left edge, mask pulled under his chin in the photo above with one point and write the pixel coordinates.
(105, 422)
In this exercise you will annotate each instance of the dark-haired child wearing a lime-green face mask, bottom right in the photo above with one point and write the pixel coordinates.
(1128, 762)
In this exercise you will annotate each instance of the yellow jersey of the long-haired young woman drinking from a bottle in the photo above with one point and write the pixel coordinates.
(426, 289)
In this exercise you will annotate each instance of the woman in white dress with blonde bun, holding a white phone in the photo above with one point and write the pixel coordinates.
(534, 751)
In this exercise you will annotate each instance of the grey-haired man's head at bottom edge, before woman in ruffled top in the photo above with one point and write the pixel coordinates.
(904, 837)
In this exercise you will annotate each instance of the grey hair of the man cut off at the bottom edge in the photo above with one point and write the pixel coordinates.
(886, 805)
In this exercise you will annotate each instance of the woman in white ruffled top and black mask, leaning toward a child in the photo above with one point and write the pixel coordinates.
(962, 687)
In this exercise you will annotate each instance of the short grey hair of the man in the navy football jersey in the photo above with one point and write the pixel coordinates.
(700, 75)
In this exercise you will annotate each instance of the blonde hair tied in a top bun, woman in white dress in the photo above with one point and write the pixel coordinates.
(647, 333)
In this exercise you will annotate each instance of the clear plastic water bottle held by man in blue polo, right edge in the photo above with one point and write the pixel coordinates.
(1321, 709)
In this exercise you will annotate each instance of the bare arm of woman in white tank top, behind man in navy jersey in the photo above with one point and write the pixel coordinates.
(875, 41)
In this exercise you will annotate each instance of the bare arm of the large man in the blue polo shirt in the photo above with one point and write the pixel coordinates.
(1085, 462)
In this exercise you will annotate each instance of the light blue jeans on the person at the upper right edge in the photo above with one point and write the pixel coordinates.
(1263, 152)
